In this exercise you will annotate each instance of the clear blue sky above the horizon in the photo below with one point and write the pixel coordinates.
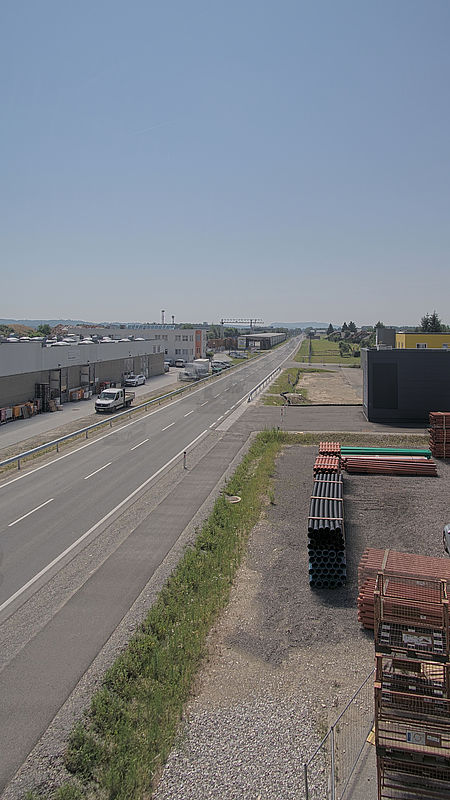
(283, 159)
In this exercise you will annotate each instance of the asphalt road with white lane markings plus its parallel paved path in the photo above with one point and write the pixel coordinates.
(51, 512)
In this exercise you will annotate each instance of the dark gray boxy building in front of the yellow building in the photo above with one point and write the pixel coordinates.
(405, 385)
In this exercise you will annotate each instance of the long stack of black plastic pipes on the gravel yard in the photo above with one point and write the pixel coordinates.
(326, 541)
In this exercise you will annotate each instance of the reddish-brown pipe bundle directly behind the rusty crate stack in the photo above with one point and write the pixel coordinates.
(393, 562)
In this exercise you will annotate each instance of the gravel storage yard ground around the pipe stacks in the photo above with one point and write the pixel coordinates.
(278, 639)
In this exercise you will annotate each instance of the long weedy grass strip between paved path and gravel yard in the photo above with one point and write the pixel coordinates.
(133, 718)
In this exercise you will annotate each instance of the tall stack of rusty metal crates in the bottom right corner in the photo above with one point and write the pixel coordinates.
(412, 688)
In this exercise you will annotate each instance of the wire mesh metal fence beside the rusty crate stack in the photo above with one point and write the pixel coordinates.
(328, 771)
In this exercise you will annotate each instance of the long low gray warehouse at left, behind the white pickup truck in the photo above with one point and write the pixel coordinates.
(31, 372)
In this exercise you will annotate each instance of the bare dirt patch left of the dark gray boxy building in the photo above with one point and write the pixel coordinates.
(332, 387)
